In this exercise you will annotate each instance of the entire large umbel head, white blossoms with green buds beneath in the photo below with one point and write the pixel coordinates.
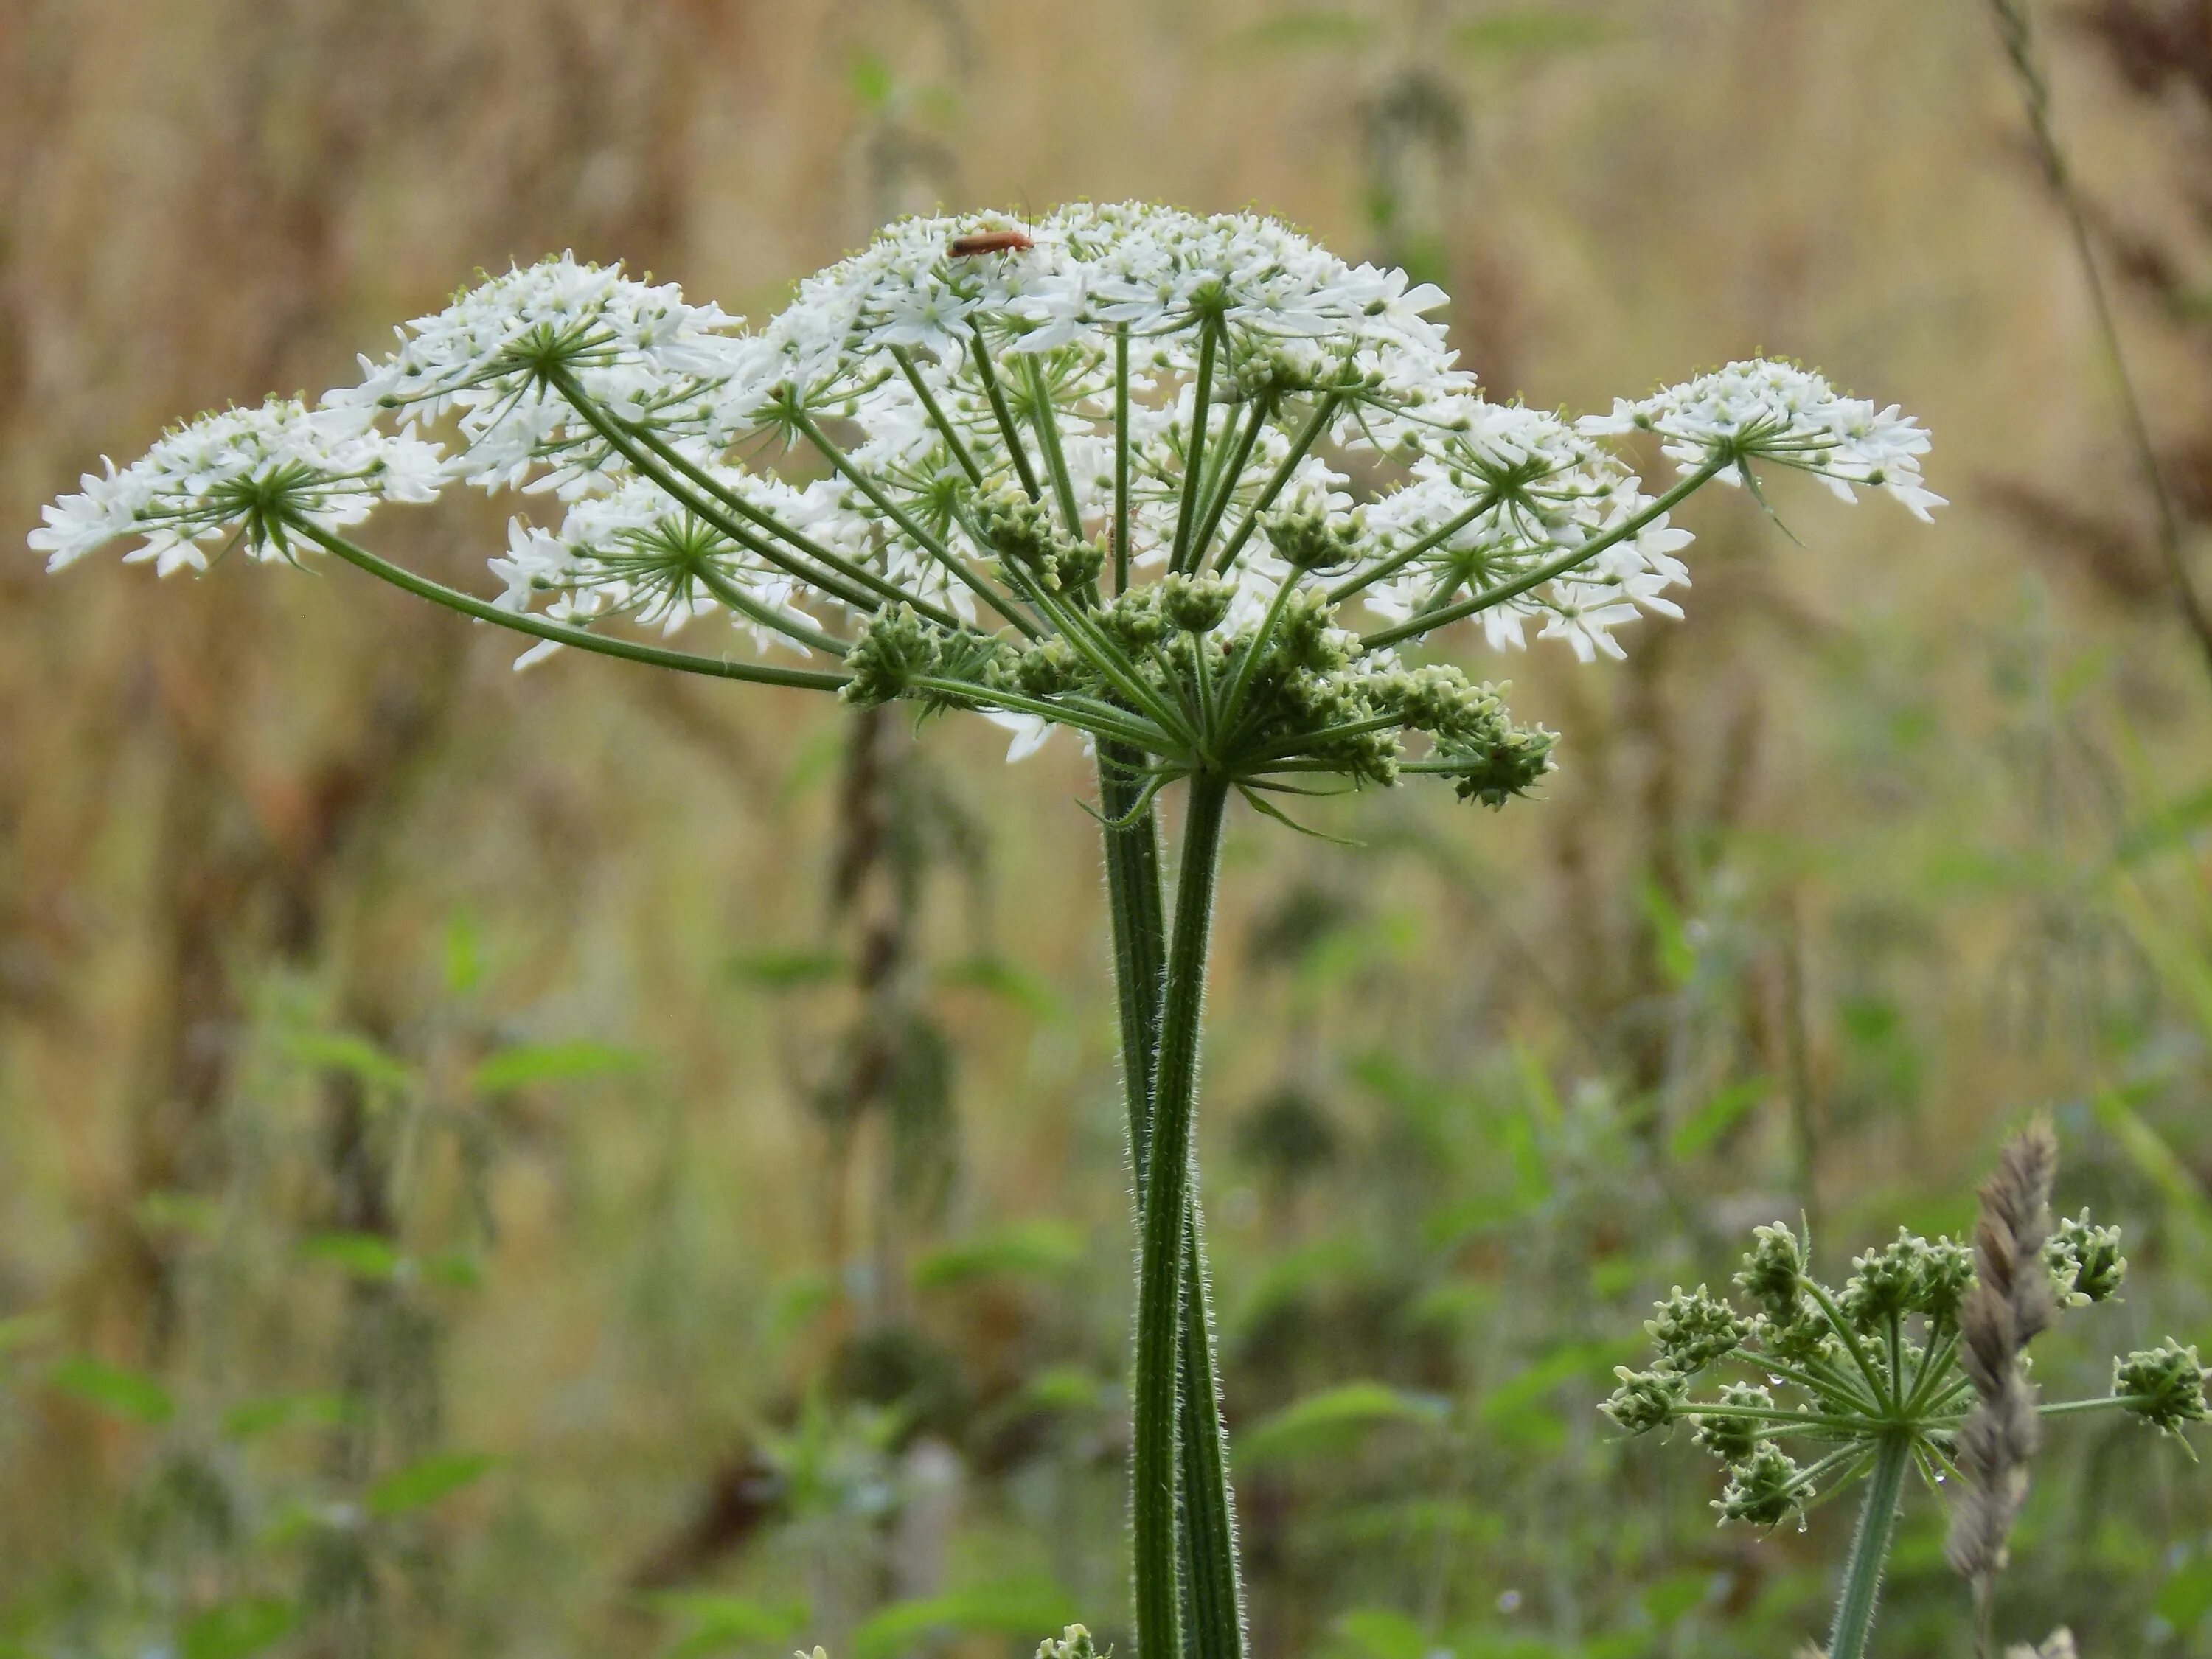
(1182, 483)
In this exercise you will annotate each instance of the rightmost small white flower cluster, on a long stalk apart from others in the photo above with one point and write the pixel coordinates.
(1764, 410)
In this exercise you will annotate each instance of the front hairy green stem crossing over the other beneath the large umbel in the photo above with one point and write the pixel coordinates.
(1167, 1224)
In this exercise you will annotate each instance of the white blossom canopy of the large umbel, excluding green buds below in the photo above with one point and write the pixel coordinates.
(1233, 373)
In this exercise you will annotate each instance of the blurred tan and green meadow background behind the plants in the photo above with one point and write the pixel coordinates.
(603, 1165)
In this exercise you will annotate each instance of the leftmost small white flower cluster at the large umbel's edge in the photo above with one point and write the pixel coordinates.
(240, 474)
